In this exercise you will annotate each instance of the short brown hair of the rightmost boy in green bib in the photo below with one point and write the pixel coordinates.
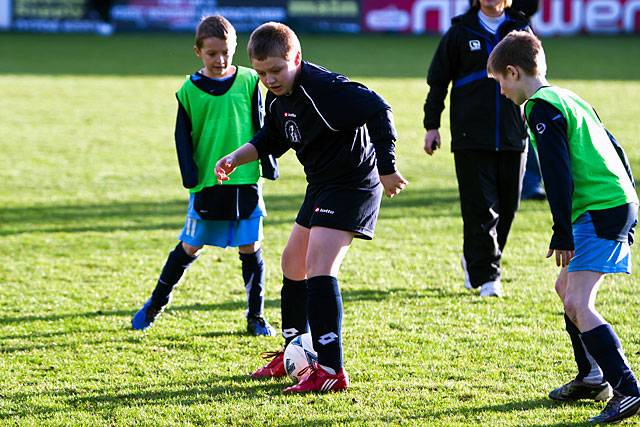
(518, 49)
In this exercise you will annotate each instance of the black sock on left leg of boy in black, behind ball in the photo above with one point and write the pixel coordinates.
(293, 308)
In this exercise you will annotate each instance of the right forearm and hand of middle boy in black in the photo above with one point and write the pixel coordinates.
(383, 136)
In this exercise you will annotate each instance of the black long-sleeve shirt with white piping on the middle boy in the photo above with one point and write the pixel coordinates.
(323, 119)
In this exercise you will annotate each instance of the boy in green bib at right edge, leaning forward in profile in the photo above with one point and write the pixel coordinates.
(594, 205)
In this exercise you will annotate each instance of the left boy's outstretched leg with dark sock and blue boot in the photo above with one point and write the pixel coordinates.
(182, 256)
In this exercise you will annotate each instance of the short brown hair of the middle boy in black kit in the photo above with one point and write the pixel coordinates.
(272, 39)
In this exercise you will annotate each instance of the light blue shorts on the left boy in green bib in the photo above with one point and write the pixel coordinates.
(199, 232)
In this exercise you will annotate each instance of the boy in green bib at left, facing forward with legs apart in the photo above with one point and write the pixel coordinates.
(219, 108)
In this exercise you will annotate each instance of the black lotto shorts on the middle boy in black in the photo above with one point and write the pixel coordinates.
(348, 209)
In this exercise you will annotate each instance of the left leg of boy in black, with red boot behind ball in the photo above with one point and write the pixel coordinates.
(293, 302)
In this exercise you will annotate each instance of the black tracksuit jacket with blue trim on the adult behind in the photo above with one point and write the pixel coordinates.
(481, 118)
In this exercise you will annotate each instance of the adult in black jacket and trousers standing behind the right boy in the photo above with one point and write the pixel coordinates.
(487, 135)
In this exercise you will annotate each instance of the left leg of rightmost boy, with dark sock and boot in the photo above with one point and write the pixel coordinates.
(589, 383)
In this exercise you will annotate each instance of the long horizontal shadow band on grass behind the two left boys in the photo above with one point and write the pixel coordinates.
(169, 214)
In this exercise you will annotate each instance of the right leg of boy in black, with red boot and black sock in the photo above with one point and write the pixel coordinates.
(327, 248)
